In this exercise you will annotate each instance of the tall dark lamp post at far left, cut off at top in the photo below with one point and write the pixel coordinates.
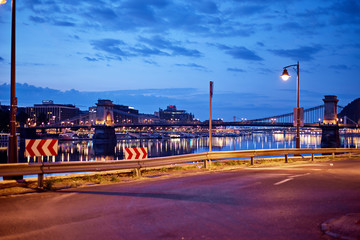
(12, 149)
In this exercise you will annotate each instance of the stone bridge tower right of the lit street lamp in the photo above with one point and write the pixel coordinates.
(330, 137)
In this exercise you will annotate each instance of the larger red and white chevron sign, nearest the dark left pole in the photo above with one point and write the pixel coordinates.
(41, 147)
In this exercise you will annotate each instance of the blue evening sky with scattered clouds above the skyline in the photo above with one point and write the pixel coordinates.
(153, 53)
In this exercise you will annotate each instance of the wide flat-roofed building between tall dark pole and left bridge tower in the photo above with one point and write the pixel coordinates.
(49, 112)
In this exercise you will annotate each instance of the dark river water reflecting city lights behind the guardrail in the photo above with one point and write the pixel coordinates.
(85, 150)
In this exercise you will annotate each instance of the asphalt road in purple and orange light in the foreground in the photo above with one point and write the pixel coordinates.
(254, 203)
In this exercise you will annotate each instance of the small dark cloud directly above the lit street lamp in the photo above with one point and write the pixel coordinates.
(298, 54)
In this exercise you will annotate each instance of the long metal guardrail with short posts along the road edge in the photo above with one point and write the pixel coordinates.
(19, 169)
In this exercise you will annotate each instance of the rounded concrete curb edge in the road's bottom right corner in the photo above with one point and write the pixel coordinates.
(344, 227)
